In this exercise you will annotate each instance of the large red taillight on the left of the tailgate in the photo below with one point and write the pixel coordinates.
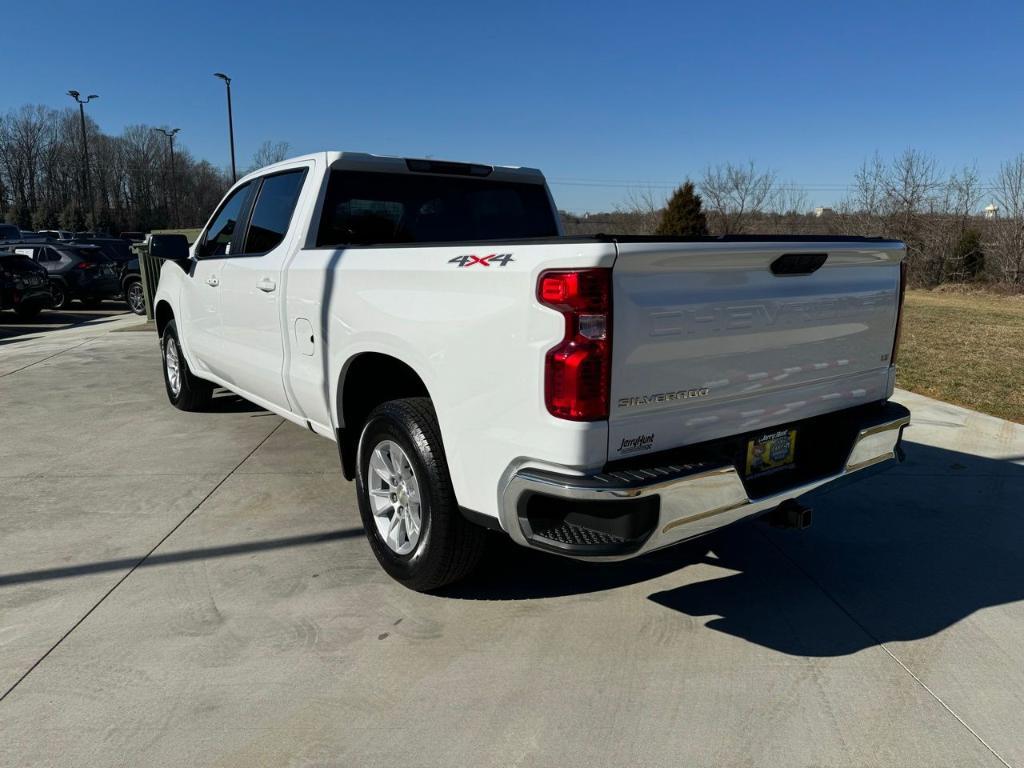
(578, 372)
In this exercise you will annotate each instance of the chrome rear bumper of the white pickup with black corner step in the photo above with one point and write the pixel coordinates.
(692, 500)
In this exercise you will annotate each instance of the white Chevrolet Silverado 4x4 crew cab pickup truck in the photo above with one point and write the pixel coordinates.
(596, 398)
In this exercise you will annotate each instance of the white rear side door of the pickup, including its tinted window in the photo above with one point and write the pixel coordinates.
(252, 288)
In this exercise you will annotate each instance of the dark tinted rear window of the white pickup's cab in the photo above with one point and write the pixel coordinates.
(378, 208)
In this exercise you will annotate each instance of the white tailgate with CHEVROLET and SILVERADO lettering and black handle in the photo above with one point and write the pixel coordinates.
(710, 343)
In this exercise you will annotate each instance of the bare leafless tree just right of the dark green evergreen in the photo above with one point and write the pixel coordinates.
(736, 194)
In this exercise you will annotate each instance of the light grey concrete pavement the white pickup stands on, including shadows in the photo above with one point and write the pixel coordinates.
(194, 589)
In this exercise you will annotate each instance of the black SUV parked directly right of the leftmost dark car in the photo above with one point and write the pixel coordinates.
(81, 273)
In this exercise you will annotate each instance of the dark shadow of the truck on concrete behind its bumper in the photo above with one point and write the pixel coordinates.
(899, 557)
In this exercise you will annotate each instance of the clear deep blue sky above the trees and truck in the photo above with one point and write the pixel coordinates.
(605, 98)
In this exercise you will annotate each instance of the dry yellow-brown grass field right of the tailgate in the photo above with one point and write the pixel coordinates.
(966, 349)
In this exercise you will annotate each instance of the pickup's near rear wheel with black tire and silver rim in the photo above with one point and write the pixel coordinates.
(447, 547)
